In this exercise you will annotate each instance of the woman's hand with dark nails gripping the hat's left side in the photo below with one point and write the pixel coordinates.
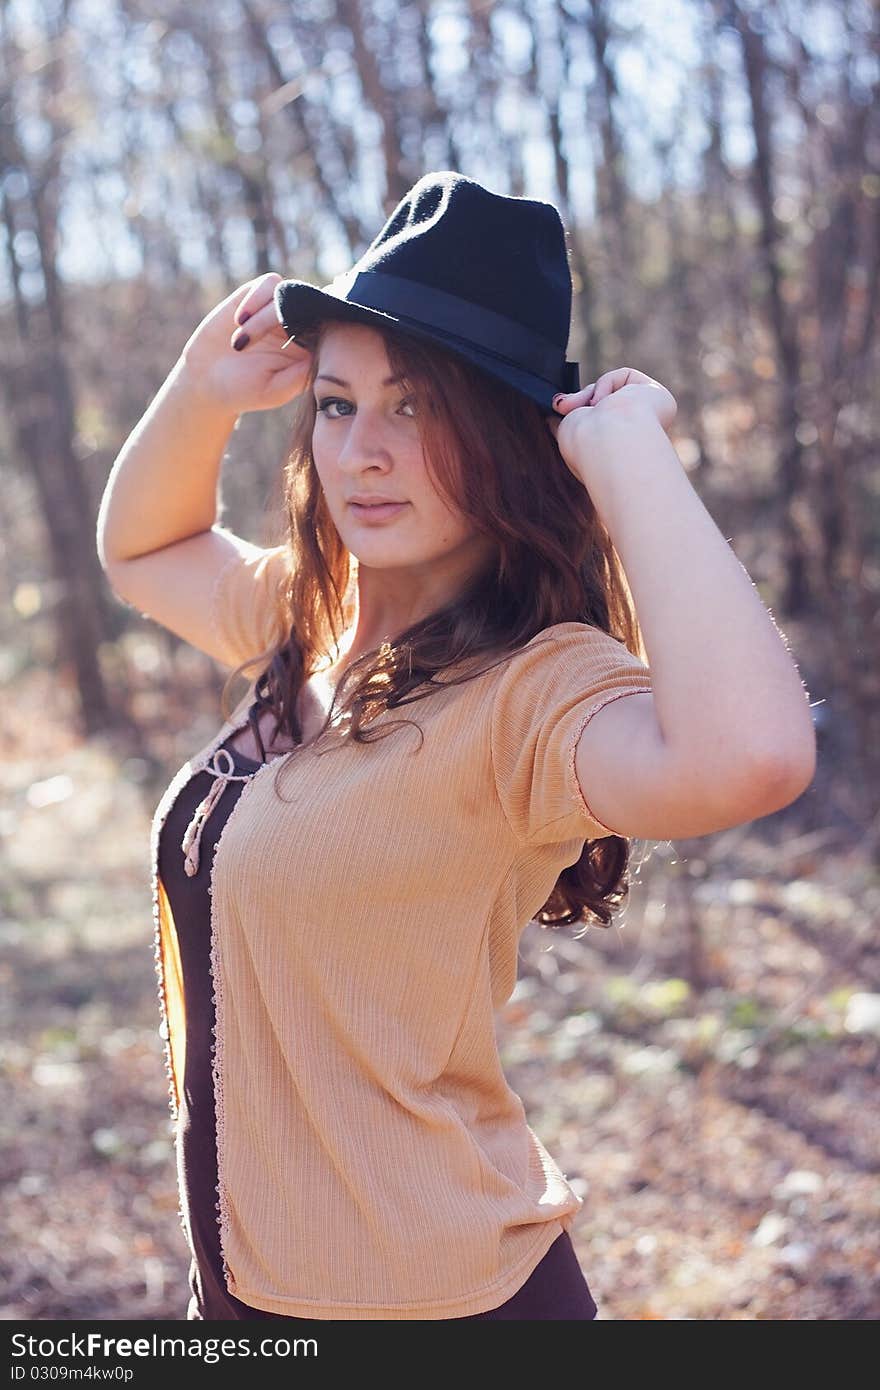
(262, 376)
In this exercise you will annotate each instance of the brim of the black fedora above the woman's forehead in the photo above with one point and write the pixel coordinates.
(300, 306)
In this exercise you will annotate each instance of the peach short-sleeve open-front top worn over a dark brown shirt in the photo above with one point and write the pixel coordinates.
(373, 1160)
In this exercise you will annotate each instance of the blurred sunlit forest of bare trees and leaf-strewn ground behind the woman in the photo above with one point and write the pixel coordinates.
(707, 1070)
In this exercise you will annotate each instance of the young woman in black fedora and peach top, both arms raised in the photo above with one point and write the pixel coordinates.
(434, 751)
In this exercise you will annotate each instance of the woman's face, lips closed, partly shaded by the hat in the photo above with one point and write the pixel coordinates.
(366, 444)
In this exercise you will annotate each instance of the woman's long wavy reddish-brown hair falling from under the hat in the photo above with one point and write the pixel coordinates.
(490, 452)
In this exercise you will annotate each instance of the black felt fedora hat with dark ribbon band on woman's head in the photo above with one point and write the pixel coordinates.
(483, 275)
